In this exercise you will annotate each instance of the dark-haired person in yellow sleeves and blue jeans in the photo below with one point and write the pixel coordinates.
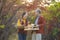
(21, 32)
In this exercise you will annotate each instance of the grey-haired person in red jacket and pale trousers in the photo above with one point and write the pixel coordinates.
(40, 21)
